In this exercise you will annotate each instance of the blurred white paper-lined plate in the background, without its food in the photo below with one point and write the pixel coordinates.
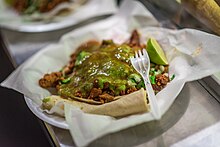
(9, 19)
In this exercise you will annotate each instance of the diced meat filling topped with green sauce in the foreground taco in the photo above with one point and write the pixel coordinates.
(97, 73)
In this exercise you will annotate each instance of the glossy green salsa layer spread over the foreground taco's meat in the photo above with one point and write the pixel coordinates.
(107, 64)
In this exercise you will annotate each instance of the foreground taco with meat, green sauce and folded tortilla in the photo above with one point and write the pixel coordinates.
(100, 79)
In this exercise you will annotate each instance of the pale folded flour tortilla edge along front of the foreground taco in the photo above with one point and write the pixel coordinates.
(133, 103)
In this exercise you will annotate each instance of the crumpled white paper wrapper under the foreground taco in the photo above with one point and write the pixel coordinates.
(191, 54)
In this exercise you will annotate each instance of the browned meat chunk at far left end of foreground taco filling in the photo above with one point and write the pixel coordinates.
(50, 80)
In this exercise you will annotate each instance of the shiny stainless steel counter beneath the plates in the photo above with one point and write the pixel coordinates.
(194, 110)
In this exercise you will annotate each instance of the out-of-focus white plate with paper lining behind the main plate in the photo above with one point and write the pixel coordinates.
(78, 12)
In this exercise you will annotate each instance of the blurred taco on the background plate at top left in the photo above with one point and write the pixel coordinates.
(44, 9)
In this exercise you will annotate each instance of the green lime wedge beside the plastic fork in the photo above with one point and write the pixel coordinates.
(156, 53)
